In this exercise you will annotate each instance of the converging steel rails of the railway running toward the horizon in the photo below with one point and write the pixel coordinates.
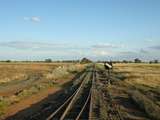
(77, 105)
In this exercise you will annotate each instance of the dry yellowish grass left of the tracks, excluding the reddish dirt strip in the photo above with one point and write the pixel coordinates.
(49, 75)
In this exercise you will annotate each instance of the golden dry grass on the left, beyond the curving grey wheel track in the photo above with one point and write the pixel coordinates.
(20, 71)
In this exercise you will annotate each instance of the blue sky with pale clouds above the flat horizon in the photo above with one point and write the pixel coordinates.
(73, 29)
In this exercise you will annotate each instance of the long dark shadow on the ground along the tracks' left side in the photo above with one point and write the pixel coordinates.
(49, 104)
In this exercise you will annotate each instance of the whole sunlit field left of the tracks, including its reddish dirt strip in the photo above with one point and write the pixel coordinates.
(20, 81)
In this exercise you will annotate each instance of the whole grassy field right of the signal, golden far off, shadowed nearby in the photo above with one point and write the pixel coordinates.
(136, 89)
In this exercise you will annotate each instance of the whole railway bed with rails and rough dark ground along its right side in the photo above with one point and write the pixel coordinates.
(90, 101)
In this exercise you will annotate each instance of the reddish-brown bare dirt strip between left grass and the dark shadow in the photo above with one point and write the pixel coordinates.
(29, 101)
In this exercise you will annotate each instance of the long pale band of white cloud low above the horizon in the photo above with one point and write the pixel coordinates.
(68, 50)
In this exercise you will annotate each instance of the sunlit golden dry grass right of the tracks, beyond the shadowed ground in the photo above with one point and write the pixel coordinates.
(144, 74)
